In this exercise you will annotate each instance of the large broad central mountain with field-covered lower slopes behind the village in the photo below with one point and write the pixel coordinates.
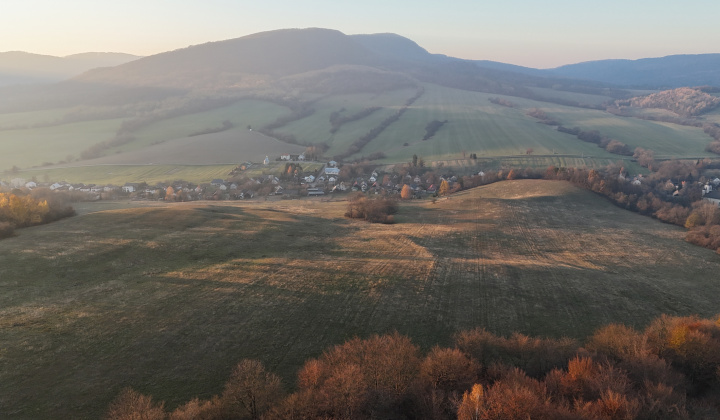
(386, 87)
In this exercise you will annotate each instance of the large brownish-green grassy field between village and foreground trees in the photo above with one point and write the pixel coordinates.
(168, 298)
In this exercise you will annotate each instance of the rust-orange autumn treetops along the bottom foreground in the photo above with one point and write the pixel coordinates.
(671, 369)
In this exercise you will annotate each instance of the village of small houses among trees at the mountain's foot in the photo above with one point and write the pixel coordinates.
(283, 177)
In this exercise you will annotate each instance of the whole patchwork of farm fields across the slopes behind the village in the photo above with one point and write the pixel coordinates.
(474, 125)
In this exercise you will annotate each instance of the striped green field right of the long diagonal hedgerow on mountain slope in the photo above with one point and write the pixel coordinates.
(475, 125)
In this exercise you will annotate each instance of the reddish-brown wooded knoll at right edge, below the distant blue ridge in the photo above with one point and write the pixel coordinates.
(682, 101)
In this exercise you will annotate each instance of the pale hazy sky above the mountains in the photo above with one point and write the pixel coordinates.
(527, 32)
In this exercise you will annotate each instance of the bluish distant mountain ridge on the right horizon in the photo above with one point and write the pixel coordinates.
(655, 73)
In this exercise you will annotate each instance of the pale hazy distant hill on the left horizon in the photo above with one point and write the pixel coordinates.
(18, 67)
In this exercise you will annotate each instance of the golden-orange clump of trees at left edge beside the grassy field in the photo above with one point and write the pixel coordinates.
(19, 210)
